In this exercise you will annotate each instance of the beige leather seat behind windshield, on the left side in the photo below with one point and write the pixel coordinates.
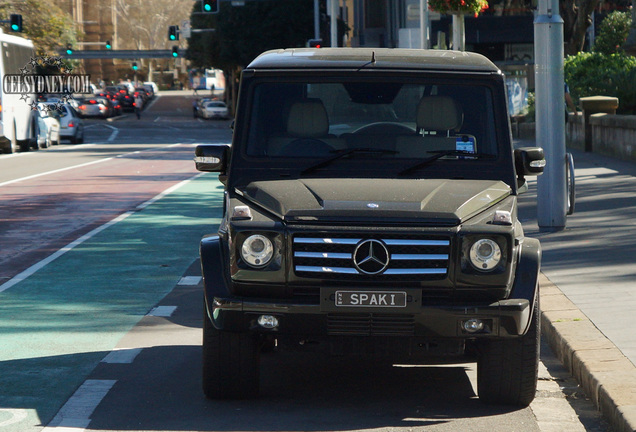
(307, 132)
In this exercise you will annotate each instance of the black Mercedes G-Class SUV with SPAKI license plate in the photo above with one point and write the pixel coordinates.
(371, 207)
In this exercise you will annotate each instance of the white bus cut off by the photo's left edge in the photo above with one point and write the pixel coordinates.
(18, 122)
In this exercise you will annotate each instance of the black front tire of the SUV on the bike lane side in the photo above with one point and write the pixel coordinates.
(230, 363)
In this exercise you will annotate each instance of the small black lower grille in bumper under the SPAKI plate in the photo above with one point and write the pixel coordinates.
(362, 324)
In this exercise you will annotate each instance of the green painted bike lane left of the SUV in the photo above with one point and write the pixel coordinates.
(60, 322)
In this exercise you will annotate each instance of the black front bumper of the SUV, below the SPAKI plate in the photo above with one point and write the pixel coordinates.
(506, 318)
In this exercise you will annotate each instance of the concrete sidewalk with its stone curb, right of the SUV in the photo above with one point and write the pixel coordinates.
(588, 292)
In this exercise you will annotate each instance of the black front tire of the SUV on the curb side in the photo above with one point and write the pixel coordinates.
(507, 369)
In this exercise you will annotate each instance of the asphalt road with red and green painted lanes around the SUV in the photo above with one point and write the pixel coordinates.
(107, 335)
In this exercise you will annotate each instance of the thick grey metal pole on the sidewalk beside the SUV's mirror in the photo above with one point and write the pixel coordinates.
(550, 114)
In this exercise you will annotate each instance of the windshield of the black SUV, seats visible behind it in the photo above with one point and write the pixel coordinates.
(399, 119)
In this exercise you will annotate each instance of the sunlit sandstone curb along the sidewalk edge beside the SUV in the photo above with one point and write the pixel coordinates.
(604, 373)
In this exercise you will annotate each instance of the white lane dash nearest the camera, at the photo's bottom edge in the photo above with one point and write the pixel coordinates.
(76, 413)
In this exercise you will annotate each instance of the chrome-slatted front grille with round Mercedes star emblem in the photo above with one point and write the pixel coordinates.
(410, 258)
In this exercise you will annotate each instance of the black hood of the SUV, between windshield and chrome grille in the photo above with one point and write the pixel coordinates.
(438, 201)
